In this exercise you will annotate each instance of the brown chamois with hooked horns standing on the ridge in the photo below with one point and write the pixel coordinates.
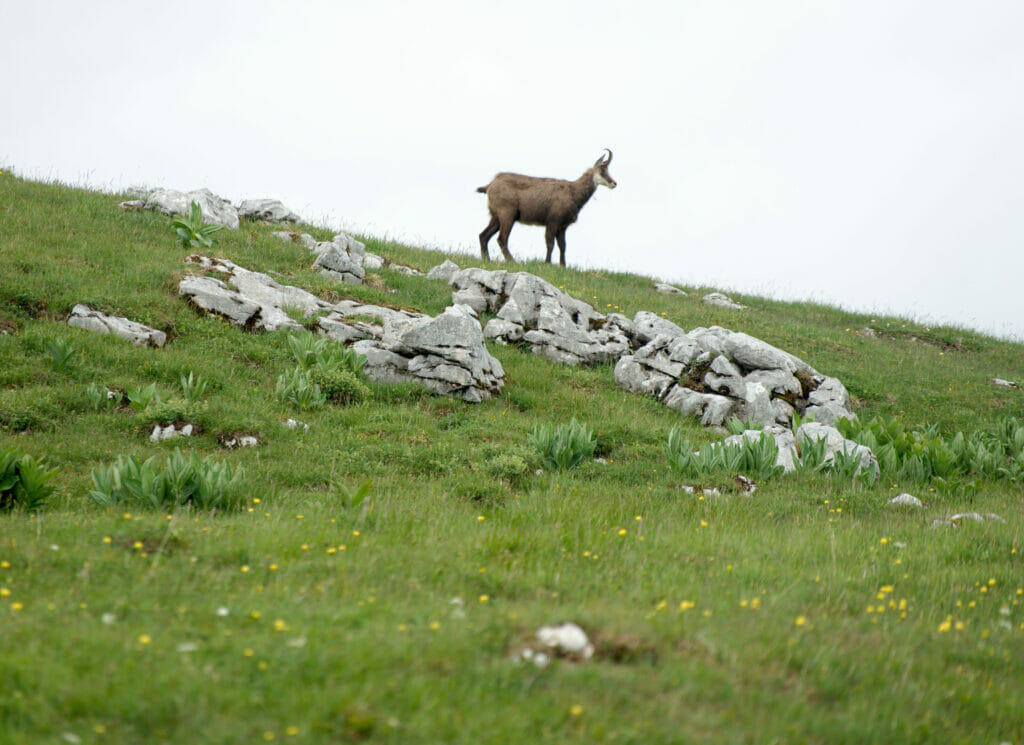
(553, 203)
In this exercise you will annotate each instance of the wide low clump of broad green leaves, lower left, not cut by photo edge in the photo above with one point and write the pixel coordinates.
(182, 480)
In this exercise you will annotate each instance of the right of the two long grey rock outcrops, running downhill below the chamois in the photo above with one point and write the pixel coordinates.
(713, 374)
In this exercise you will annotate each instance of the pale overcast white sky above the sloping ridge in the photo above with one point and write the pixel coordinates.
(867, 154)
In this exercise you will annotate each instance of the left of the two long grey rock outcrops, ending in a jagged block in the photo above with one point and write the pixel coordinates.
(446, 354)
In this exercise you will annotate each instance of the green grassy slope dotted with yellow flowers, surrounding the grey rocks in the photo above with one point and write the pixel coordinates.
(809, 612)
